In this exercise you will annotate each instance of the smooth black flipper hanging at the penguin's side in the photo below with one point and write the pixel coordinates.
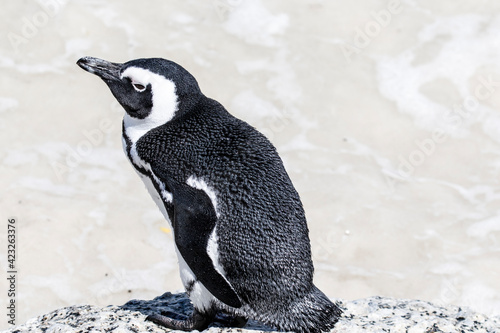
(193, 223)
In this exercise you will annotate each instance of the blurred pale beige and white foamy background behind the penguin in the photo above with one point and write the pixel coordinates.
(386, 114)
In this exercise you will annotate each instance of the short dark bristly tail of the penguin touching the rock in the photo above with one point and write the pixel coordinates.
(313, 313)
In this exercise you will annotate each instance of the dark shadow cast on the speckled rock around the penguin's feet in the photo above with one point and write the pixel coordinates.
(178, 306)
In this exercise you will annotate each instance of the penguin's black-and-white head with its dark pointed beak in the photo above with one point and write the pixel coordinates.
(153, 90)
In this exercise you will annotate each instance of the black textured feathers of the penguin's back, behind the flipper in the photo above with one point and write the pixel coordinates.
(263, 243)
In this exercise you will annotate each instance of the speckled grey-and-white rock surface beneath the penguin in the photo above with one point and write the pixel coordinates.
(374, 314)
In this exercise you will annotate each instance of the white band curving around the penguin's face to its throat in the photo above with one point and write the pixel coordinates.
(164, 101)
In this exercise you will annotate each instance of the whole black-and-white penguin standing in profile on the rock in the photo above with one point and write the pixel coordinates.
(238, 223)
